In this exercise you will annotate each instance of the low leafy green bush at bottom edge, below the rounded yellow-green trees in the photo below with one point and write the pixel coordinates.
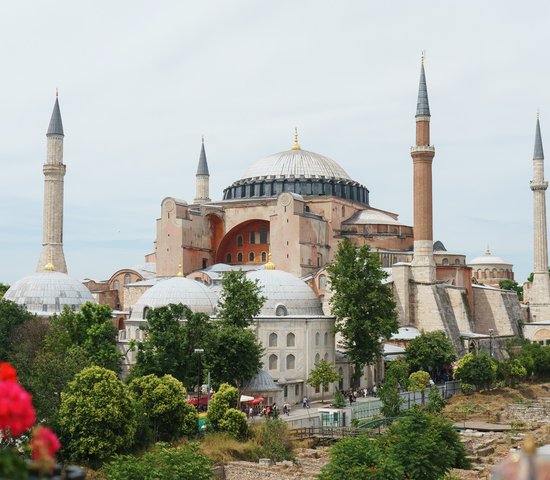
(161, 463)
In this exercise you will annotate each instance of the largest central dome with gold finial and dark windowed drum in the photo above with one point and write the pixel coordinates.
(298, 171)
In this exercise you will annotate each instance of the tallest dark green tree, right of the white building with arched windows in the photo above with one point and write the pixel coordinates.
(363, 306)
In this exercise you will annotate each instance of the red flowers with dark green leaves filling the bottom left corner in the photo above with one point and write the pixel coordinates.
(17, 415)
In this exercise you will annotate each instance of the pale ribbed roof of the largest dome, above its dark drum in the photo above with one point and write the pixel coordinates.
(296, 163)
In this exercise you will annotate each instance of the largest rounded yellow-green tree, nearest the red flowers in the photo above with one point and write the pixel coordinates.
(97, 416)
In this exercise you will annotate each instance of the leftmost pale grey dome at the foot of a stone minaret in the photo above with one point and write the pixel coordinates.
(47, 293)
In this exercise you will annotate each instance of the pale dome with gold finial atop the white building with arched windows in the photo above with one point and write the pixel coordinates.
(286, 294)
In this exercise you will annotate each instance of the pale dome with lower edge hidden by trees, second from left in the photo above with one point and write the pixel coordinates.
(191, 293)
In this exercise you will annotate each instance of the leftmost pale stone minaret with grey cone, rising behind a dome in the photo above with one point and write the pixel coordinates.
(54, 171)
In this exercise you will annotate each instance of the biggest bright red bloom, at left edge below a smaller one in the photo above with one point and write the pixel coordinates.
(16, 410)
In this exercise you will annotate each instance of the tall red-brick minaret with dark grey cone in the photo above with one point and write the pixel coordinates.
(423, 265)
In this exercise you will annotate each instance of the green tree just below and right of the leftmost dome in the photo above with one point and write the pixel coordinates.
(91, 329)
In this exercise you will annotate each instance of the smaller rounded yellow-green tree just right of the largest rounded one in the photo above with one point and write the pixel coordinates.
(165, 406)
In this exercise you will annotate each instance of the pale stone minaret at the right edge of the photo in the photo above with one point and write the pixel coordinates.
(540, 290)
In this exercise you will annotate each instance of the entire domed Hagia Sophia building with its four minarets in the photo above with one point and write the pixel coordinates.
(281, 223)
